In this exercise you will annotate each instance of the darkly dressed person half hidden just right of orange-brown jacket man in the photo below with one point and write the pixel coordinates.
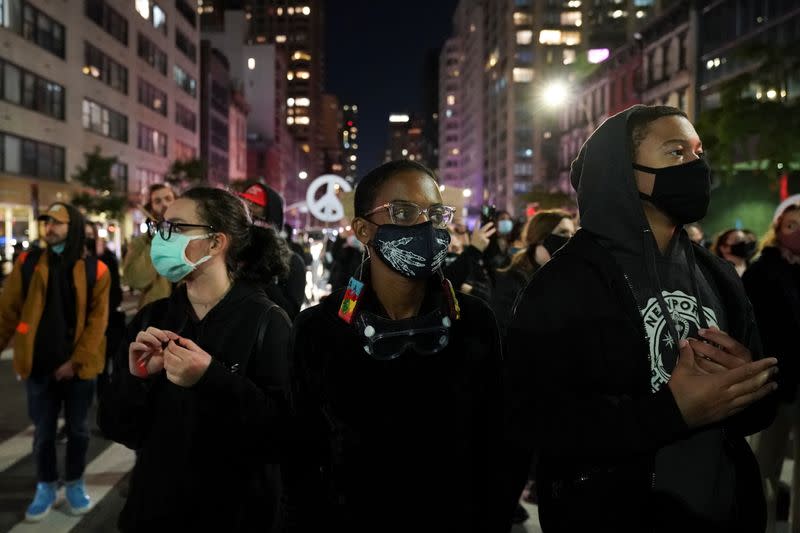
(96, 246)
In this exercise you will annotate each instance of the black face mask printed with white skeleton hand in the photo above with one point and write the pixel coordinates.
(415, 252)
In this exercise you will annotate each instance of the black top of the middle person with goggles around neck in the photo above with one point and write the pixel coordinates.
(409, 444)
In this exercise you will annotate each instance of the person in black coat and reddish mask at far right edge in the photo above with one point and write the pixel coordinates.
(773, 285)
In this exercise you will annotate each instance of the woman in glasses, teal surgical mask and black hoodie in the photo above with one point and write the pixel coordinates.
(205, 396)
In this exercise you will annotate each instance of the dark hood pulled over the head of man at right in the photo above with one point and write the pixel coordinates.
(603, 177)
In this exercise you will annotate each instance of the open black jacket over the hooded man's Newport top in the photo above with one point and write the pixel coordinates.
(580, 395)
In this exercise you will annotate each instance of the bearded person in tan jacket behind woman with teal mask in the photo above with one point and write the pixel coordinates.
(137, 268)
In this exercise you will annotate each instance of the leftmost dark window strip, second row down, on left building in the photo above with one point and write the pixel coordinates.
(25, 88)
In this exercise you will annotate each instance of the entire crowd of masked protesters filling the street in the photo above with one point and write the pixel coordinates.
(606, 364)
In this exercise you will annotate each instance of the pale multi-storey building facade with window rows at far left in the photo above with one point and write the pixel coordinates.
(121, 76)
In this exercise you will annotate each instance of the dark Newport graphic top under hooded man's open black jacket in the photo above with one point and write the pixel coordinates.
(694, 472)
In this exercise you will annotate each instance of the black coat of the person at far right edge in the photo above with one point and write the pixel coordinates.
(773, 286)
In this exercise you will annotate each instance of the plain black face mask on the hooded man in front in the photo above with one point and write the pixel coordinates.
(682, 191)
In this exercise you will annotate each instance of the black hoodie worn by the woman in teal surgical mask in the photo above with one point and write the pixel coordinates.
(207, 454)
